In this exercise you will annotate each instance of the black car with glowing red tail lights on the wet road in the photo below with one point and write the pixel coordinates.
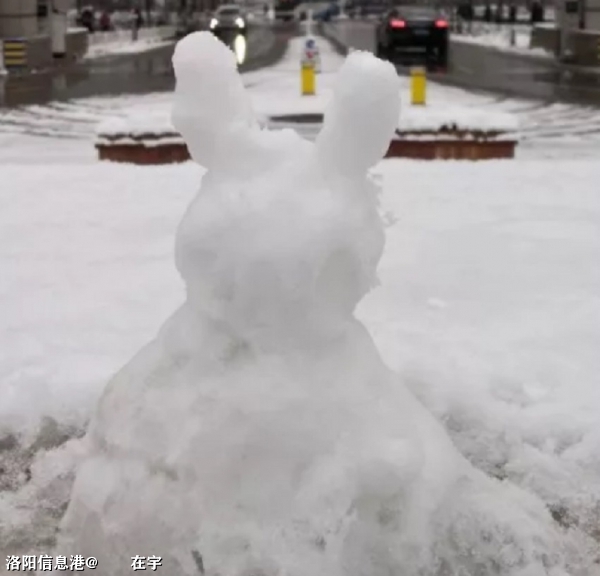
(413, 36)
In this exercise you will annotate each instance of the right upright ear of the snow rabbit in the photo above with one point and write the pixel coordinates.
(362, 116)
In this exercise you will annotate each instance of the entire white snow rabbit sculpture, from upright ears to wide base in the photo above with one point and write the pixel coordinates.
(260, 432)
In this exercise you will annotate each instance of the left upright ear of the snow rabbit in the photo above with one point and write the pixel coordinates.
(210, 97)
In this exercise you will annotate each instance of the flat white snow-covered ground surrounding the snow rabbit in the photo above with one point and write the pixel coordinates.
(489, 306)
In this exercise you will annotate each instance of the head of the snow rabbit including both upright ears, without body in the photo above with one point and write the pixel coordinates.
(284, 235)
